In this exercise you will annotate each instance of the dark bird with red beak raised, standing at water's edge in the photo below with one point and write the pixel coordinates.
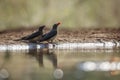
(50, 36)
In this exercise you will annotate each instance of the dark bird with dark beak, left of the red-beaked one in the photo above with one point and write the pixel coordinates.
(34, 36)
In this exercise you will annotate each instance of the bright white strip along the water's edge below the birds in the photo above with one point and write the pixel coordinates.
(62, 46)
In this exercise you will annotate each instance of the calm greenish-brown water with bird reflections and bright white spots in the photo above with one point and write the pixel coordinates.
(60, 65)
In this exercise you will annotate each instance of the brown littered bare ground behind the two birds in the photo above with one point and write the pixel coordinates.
(64, 35)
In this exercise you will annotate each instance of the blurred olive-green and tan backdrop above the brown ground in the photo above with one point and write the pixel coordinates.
(71, 13)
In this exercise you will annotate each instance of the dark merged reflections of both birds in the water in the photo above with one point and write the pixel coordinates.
(39, 55)
